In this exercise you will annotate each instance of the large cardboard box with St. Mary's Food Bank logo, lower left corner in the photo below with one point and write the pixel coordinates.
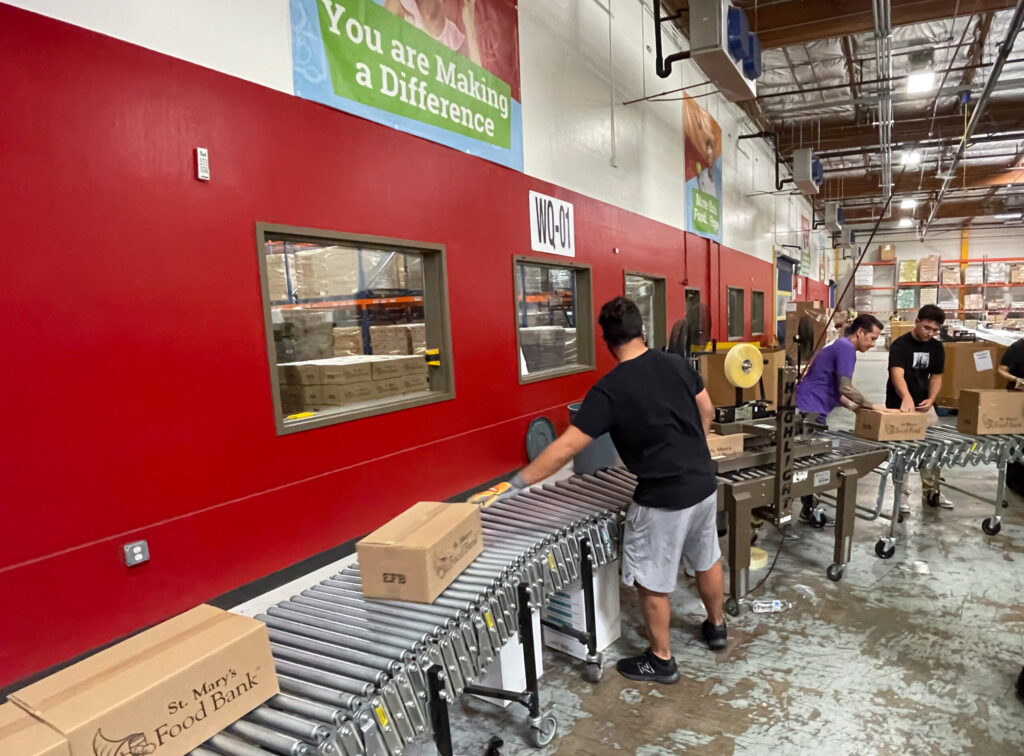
(161, 693)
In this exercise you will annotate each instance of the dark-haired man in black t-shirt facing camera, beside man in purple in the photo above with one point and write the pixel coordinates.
(916, 364)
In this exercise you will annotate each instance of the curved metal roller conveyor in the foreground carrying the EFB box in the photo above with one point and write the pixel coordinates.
(367, 678)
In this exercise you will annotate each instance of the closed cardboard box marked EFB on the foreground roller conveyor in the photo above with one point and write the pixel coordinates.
(418, 555)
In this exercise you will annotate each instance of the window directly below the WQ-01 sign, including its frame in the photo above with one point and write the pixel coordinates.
(554, 319)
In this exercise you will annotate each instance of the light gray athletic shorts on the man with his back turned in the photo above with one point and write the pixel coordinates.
(656, 541)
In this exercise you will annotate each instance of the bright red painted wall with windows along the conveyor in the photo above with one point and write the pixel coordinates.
(138, 398)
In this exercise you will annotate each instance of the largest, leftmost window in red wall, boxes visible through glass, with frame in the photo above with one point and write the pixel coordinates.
(357, 326)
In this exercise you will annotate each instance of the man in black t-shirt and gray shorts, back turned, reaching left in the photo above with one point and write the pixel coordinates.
(658, 412)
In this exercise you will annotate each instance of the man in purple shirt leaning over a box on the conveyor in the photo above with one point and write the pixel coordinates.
(829, 384)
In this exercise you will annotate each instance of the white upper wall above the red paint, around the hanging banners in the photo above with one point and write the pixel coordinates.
(576, 73)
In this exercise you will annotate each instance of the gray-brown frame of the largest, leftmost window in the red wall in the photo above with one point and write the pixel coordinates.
(436, 311)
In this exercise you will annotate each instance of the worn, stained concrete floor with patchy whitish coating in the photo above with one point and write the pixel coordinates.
(917, 655)
